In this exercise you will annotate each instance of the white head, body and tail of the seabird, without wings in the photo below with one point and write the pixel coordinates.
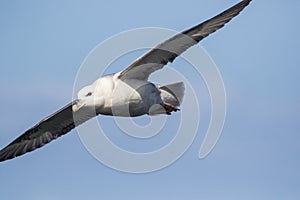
(110, 95)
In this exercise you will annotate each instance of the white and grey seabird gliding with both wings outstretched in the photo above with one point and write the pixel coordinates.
(126, 93)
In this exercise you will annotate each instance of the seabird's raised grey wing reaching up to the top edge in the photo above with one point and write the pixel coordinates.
(167, 51)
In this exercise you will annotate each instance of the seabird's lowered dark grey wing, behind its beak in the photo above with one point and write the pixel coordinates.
(50, 128)
